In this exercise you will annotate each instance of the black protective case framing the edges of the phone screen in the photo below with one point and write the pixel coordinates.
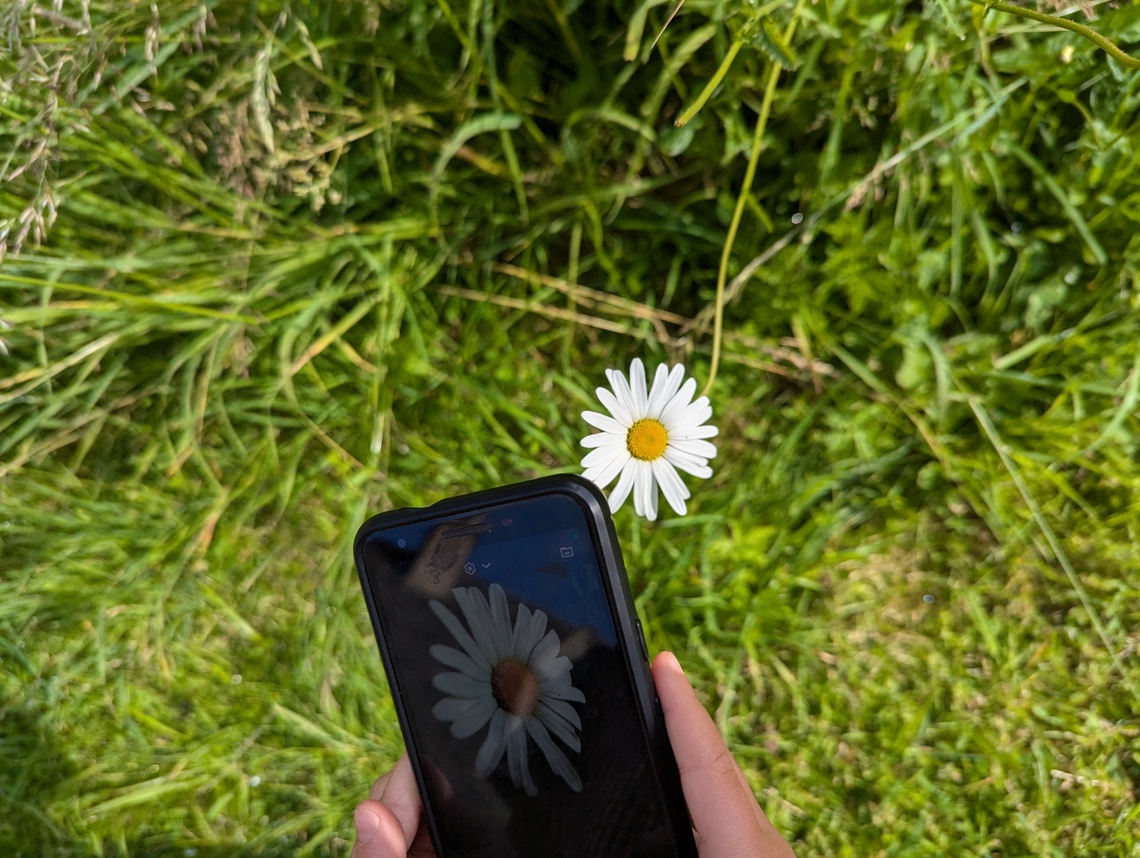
(622, 608)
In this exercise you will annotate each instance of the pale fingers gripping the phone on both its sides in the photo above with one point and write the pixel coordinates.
(727, 820)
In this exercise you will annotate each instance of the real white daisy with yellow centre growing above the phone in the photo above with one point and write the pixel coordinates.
(647, 438)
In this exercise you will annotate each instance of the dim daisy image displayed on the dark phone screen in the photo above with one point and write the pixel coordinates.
(510, 679)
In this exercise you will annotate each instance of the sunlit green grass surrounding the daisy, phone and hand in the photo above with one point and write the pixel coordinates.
(273, 268)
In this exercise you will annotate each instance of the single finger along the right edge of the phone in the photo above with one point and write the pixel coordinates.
(724, 812)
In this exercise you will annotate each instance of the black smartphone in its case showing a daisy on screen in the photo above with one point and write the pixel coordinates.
(522, 679)
